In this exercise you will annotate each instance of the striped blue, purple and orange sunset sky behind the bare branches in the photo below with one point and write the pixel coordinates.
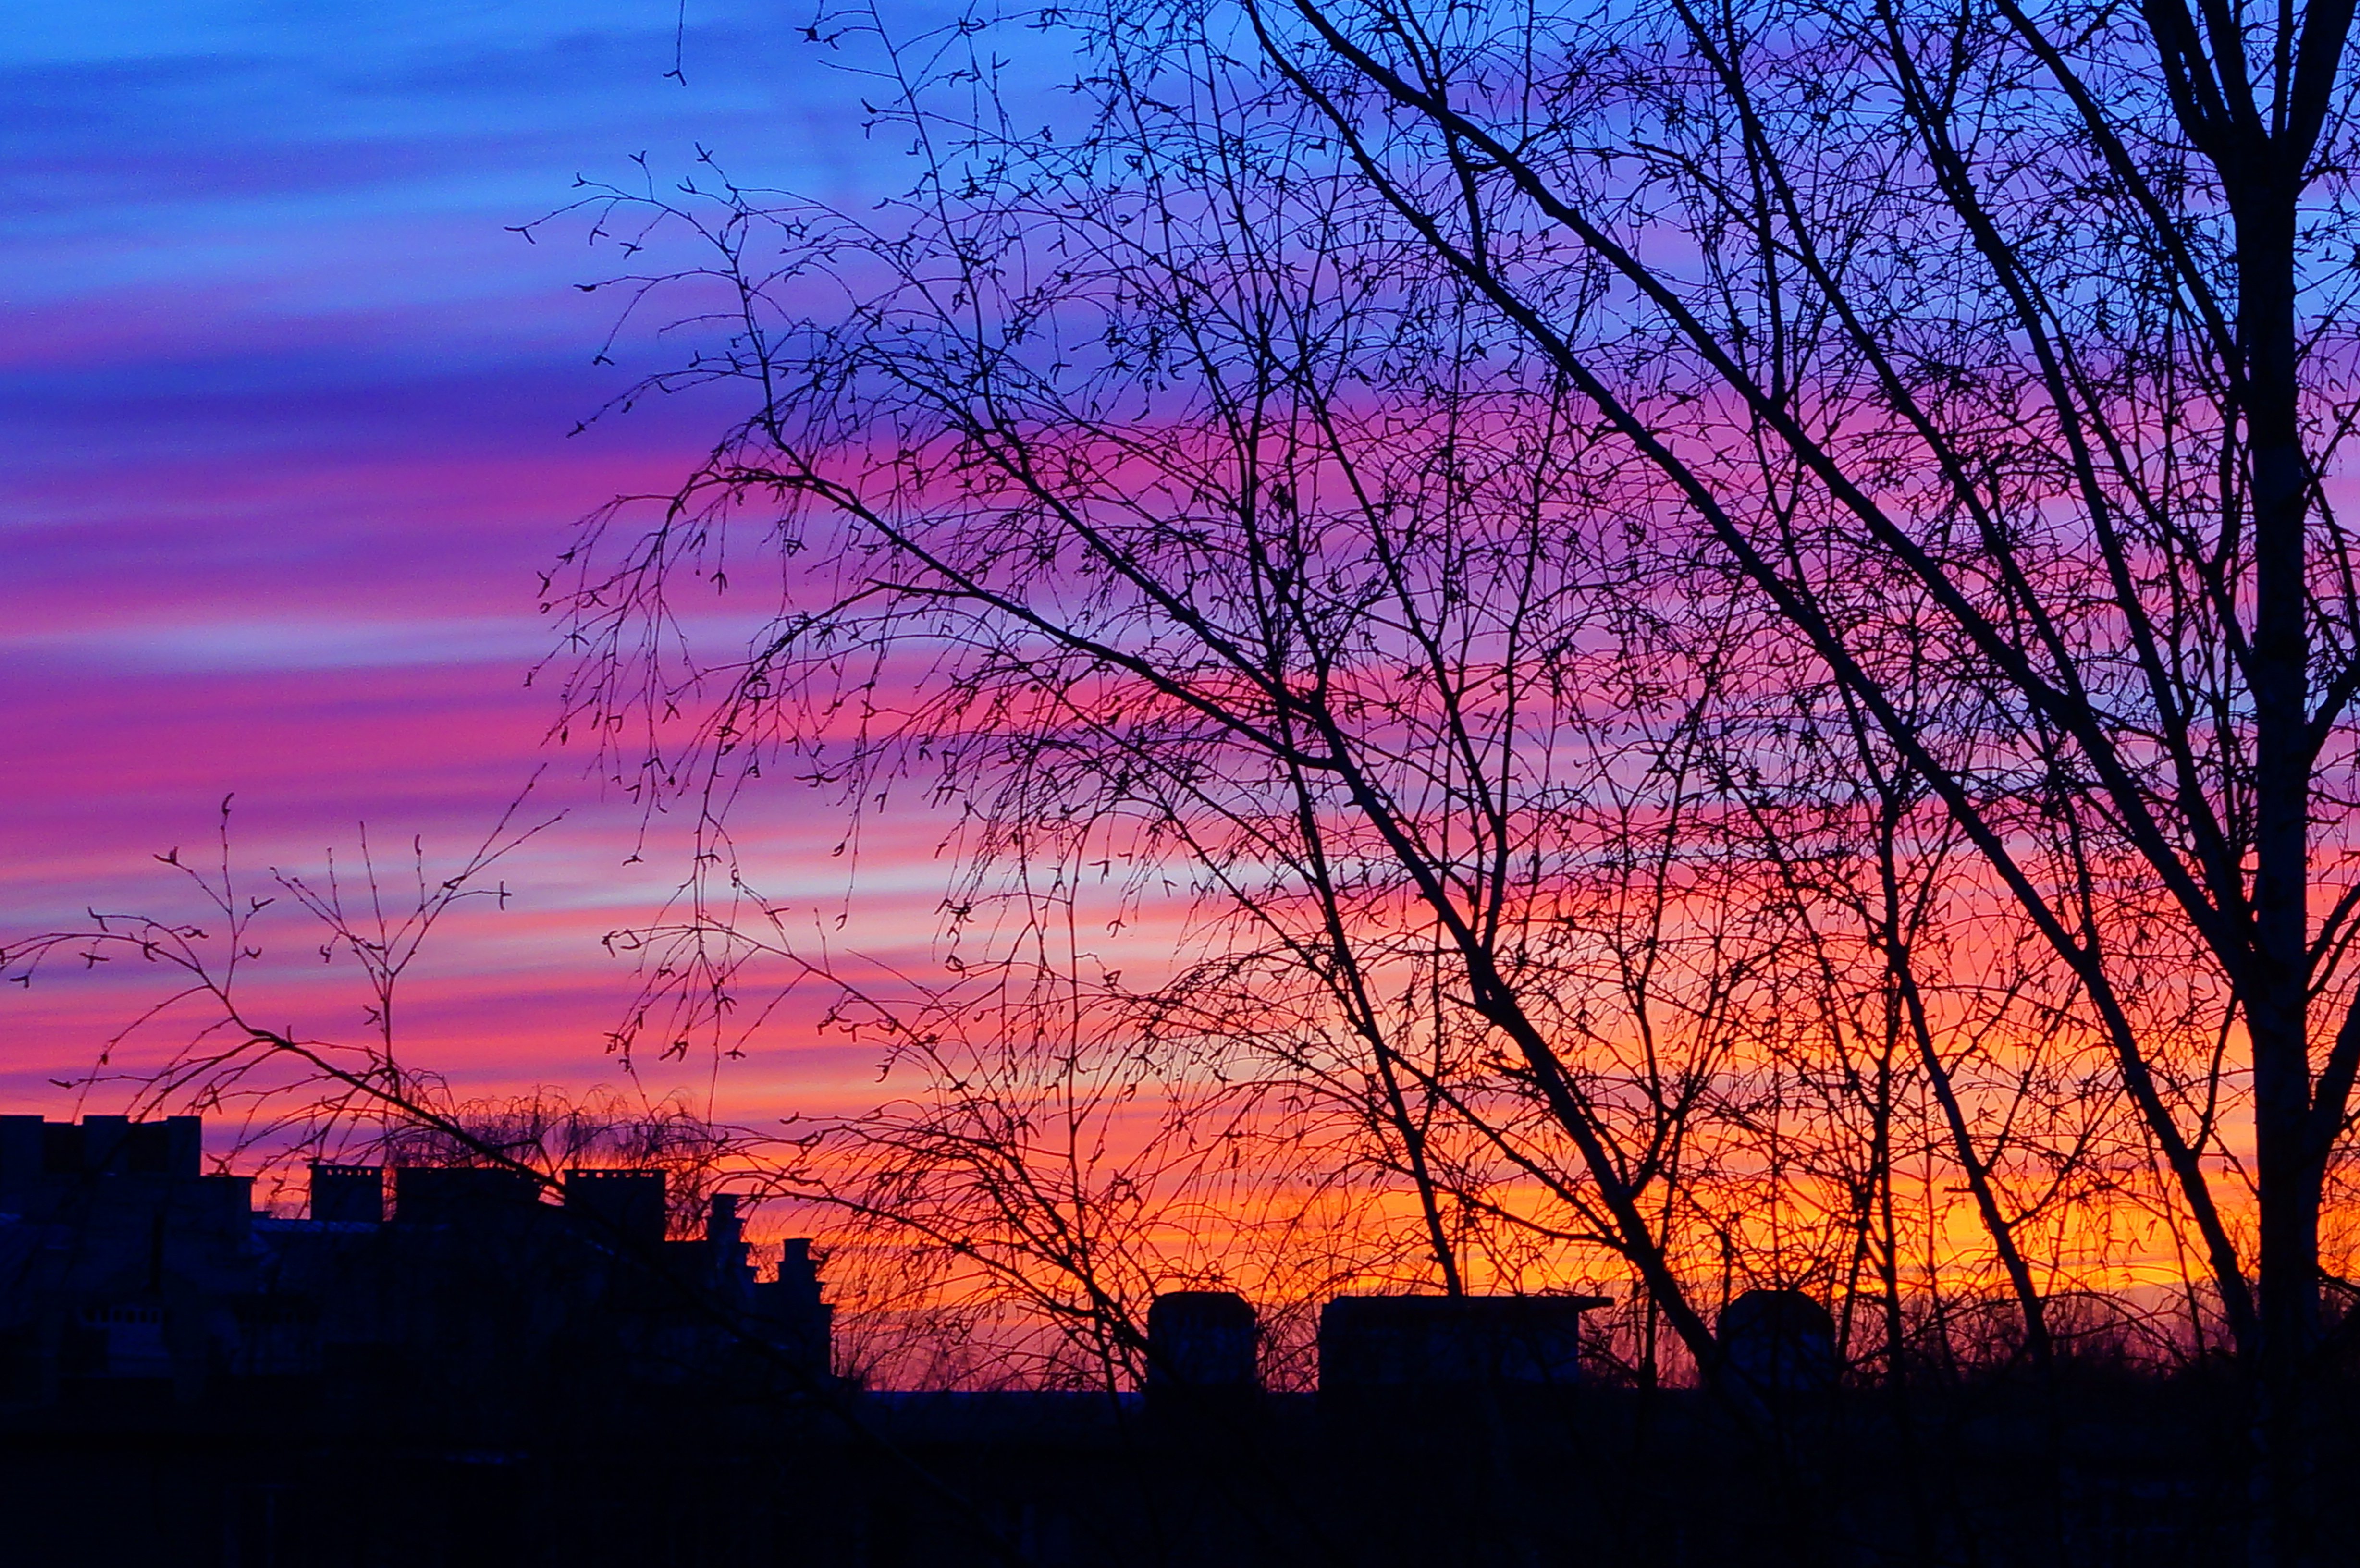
(313, 381)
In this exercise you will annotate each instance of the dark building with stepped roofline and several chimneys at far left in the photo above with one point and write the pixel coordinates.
(129, 1269)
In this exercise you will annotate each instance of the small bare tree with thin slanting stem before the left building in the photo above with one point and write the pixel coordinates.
(204, 1040)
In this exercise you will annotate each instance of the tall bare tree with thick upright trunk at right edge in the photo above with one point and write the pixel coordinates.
(2043, 315)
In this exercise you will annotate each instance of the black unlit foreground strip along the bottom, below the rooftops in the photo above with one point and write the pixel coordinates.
(2130, 1472)
